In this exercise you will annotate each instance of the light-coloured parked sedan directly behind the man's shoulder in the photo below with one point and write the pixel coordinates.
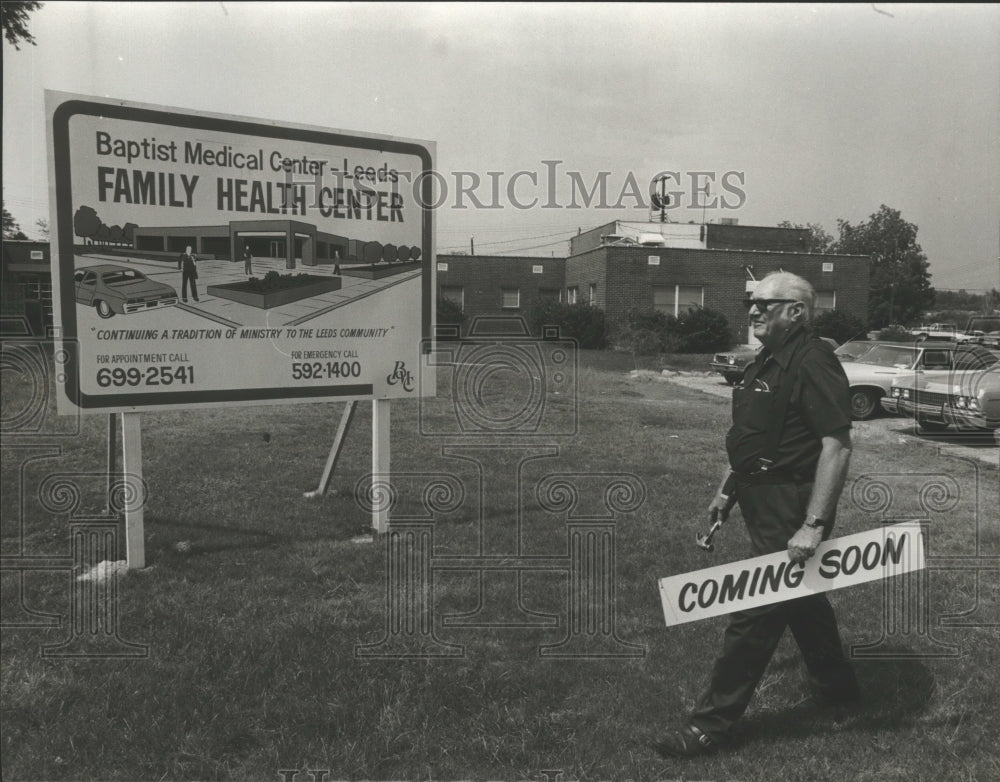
(871, 375)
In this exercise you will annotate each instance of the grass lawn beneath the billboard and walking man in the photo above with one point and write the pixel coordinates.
(255, 603)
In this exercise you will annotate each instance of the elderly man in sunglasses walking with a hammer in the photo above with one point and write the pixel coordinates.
(789, 449)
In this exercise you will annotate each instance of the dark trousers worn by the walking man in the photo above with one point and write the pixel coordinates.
(772, 514)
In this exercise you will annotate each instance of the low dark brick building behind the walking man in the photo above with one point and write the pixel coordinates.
(624, 266)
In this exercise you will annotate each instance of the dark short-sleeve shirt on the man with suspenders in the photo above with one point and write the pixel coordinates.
(819, 406)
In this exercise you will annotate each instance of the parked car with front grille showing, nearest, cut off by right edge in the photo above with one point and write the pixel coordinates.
(967, 399)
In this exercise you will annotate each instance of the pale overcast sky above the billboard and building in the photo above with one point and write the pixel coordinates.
(815, 112)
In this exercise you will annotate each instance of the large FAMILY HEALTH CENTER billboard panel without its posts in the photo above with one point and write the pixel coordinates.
(201, 259)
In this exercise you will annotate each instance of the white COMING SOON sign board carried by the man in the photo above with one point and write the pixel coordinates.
(772, 578)
